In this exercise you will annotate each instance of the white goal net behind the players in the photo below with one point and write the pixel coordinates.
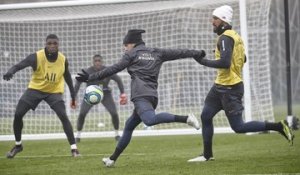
(86, 30)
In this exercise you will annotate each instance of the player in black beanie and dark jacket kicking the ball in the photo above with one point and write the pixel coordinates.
(143, 64)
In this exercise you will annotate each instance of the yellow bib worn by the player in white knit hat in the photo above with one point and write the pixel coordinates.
(233, 75)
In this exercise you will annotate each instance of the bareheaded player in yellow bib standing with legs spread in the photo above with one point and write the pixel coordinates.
(50, 70)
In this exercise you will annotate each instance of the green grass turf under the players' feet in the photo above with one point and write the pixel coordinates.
(159, 155)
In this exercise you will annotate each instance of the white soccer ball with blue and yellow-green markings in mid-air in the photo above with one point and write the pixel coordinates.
(93, 94)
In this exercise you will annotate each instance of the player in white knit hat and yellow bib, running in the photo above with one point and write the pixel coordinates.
(227, 92)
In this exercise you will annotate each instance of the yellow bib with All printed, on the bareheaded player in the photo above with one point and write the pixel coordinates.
(49, 76)
